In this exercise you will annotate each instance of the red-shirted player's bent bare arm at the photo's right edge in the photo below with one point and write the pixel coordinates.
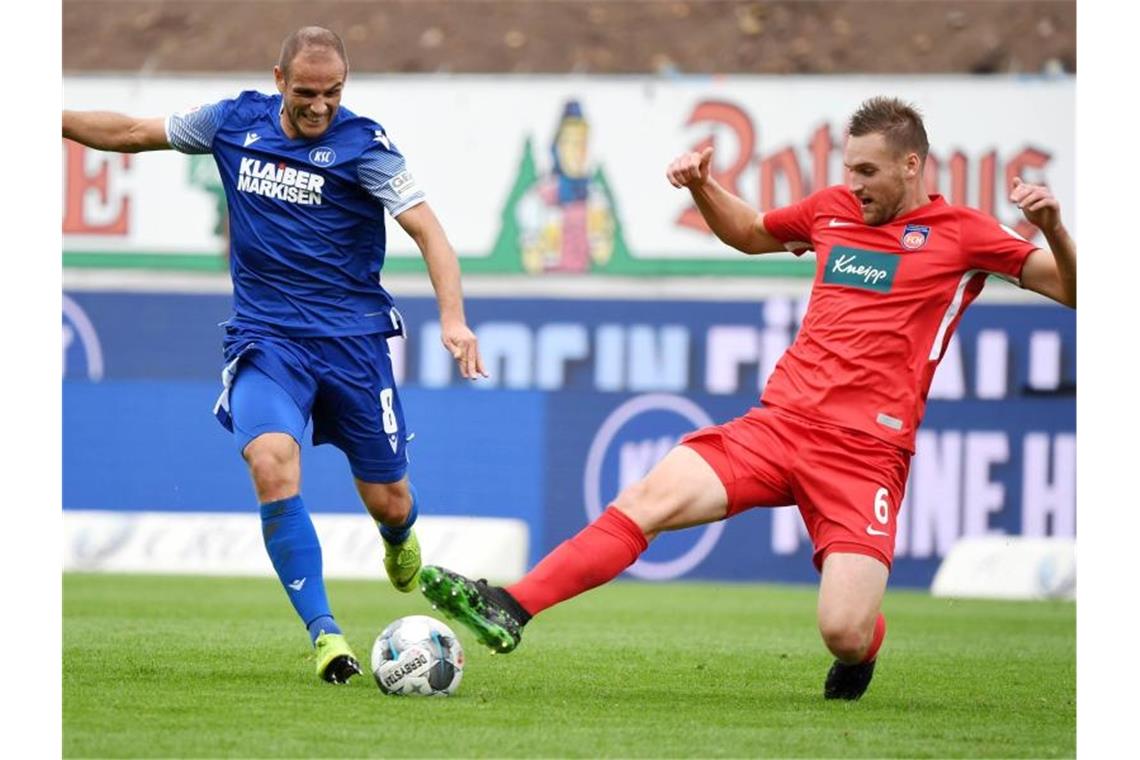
(1052, 273)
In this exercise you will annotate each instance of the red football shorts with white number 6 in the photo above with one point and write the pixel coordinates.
(849, 485)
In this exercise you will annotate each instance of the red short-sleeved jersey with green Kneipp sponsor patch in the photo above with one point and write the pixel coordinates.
(884, 306)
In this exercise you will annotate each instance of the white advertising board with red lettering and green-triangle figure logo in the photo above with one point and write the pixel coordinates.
(485, 150)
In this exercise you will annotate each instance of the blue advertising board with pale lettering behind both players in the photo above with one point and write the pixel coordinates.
(584, 397)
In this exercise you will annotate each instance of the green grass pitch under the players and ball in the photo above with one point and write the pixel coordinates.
(218, 667)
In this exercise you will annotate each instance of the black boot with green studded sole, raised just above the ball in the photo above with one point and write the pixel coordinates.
(493, 616)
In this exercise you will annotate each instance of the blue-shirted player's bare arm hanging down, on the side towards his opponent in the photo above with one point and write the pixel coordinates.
(421, 224)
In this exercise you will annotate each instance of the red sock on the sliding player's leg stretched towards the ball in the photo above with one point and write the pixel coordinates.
(598, 554)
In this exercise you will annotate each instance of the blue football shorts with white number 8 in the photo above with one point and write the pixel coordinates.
(274, 385)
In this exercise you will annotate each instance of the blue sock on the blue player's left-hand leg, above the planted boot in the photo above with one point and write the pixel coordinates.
(296, 553)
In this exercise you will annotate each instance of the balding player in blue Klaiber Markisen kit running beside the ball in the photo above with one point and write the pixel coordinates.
(307, 183)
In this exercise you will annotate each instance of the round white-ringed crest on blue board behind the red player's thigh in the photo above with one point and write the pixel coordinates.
(634, 438)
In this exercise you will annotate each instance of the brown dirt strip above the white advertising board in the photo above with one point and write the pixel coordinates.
(615, 37)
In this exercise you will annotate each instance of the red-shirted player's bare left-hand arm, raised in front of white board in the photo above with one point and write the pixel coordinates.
(732, 220)
